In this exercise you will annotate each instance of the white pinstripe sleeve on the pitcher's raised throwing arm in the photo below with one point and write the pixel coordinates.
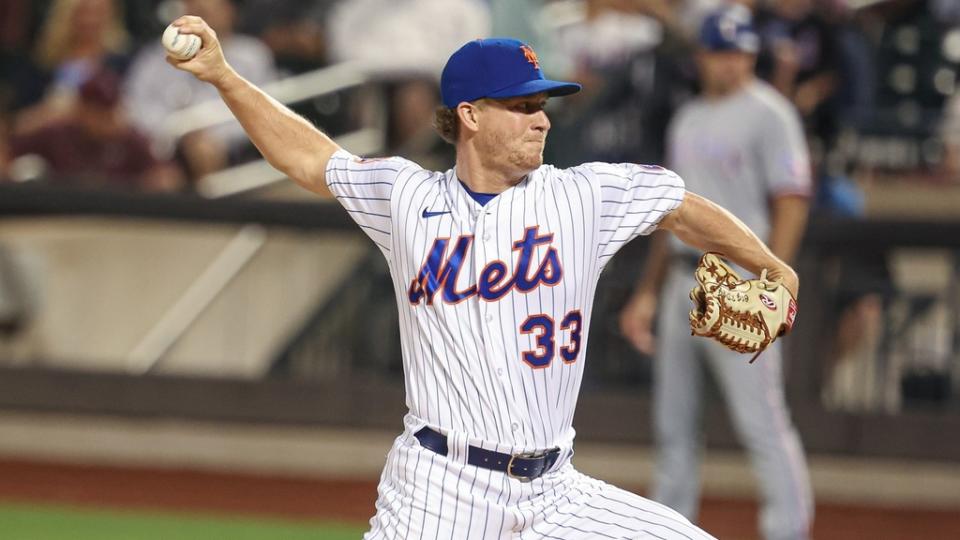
(364, 187)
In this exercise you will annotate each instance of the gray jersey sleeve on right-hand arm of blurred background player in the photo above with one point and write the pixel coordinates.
(784, 155)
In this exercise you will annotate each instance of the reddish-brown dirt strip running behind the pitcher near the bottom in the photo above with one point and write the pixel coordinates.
(352, 501)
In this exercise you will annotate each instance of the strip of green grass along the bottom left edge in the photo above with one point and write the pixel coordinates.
(24, 522)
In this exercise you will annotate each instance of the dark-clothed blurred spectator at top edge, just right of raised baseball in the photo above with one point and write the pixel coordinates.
(294, 31)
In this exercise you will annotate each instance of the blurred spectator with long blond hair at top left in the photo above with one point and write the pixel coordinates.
(77, 39)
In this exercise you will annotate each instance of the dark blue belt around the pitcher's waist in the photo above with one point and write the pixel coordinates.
(525, 467)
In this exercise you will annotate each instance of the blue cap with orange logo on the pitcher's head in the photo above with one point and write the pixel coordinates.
(496, 68)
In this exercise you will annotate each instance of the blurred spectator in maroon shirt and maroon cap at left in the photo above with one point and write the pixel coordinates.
(93, 145)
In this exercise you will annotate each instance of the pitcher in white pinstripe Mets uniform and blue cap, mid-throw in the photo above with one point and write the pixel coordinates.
(495, 264)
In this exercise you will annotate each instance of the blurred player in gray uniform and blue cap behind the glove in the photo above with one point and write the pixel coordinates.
(740, 143)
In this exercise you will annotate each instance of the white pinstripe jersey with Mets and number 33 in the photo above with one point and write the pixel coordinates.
(495, 300)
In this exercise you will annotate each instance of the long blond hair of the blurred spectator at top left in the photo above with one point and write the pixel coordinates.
(56, 39)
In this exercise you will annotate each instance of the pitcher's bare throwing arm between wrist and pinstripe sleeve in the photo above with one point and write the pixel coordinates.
(286, 140)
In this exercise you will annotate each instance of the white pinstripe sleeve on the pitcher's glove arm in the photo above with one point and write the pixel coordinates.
(633, 199)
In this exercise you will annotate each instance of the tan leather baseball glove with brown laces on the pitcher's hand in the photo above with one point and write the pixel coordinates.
(746, 315)
